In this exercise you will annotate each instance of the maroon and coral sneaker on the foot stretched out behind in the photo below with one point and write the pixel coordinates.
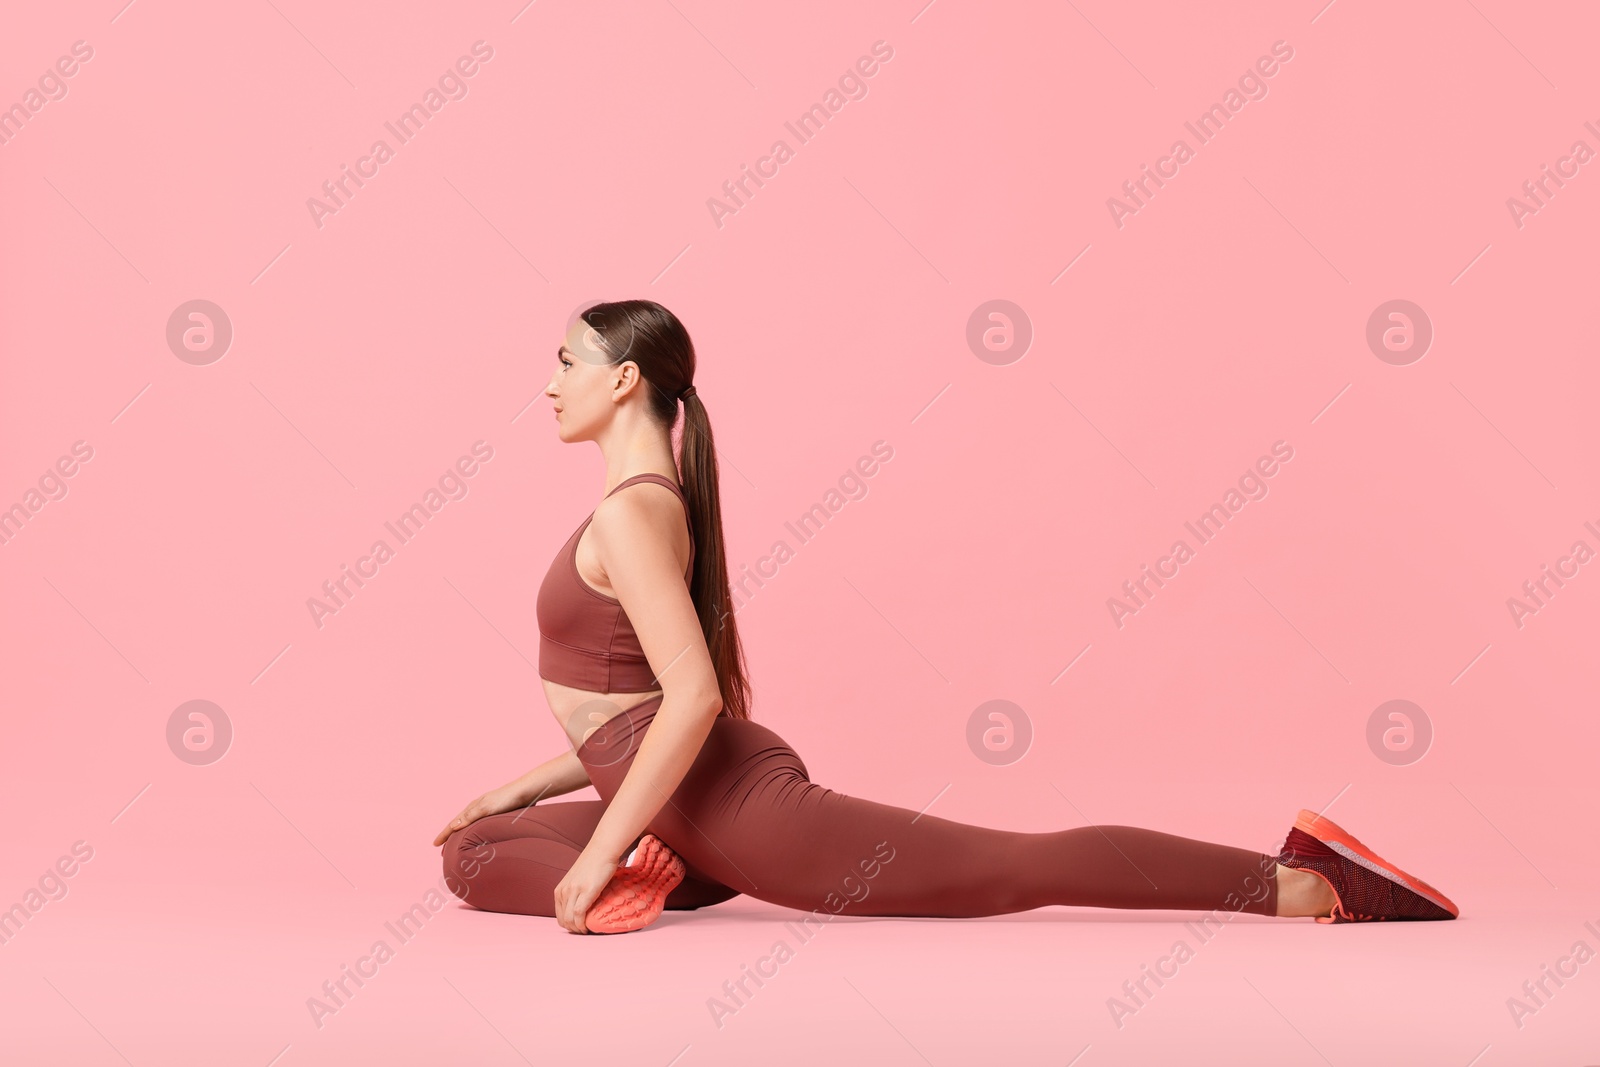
(1366, 885)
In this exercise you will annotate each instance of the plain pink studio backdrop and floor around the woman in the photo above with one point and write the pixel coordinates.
(828, 314)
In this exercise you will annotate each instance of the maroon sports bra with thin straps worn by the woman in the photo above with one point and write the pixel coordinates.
(586, 639)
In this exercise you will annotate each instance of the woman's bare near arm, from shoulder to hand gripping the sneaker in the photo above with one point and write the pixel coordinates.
(634, 540)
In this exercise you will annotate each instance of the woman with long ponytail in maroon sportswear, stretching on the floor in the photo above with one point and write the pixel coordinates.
(642, 666)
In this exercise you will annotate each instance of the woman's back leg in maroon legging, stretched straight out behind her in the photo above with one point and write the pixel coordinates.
(809, 847)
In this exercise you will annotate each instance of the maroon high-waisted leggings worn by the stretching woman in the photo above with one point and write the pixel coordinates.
(750, 820)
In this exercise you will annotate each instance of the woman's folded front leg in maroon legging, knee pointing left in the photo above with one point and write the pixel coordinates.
(514, 861)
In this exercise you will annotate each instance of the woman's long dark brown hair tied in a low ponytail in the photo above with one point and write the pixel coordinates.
(654, 338)
